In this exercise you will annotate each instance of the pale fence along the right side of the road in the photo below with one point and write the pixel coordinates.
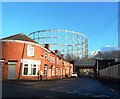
(111, 72)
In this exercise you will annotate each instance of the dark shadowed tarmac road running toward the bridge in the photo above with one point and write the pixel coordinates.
(83, 88)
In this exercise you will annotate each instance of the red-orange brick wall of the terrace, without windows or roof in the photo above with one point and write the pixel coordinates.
(18, 51)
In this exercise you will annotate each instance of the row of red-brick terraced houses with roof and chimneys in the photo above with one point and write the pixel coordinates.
(23, 57)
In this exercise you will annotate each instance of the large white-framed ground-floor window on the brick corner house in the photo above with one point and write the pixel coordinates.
(30, 69)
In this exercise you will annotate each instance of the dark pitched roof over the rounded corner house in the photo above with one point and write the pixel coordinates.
(19, 36)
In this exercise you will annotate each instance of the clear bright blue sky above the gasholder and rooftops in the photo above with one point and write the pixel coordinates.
(97, 20)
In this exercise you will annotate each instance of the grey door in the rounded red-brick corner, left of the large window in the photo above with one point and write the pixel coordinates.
(12, 70)
